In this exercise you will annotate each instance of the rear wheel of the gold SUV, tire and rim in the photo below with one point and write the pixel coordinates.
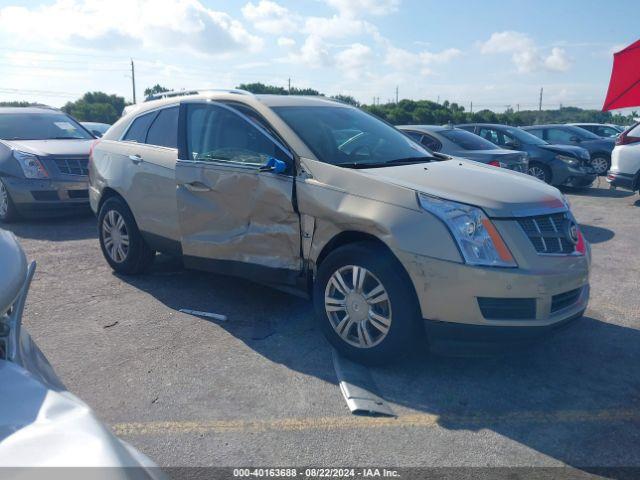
(120, 240)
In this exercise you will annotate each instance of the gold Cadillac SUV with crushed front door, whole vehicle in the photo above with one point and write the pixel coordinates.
(317, 197)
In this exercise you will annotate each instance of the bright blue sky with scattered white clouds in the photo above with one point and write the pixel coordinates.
(492, 53)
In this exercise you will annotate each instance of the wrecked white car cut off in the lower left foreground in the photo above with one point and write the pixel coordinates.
(41, 423)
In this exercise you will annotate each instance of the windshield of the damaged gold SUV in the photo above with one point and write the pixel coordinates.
(349, 137)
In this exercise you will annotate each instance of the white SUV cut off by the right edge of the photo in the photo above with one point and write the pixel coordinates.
(625, 160)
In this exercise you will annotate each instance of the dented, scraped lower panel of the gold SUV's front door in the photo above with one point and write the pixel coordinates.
(237, 214)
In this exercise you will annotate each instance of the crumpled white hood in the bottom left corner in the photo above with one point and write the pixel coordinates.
(41, 427)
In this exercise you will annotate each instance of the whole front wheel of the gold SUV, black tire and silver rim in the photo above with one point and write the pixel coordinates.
(365, 304)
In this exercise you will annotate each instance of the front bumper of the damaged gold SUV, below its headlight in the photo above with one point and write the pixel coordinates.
(450, 296)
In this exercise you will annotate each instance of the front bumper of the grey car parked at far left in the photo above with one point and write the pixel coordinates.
(35, 197)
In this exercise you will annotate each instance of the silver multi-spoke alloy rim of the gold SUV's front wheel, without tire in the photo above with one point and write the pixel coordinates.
(358, 306)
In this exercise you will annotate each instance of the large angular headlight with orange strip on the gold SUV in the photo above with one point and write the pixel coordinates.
(477, 238)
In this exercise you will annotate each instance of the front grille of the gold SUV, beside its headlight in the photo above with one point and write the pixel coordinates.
(547, 234)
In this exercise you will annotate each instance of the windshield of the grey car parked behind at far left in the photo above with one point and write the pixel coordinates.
(40, 126)
